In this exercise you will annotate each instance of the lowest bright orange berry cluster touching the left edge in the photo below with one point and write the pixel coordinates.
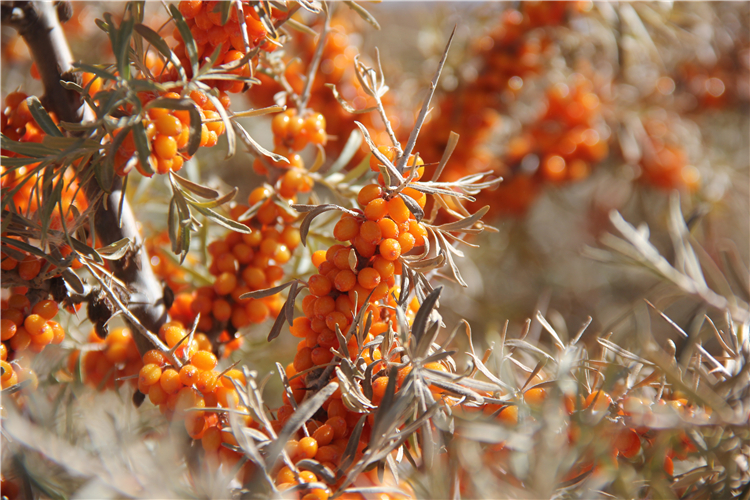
(24, 331)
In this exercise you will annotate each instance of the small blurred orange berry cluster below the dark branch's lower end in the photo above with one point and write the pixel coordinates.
(107, 361)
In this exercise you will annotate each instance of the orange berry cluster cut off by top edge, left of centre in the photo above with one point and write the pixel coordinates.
(204, 20)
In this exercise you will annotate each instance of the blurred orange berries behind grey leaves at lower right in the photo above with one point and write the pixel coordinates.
(632, 422)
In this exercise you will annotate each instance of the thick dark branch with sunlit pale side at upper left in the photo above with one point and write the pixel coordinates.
(39, 25)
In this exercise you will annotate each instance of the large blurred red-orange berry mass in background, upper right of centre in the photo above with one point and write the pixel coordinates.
(559, 145)
